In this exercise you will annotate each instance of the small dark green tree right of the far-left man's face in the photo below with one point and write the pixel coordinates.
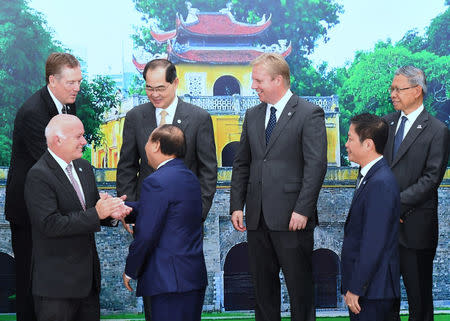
(96, 98)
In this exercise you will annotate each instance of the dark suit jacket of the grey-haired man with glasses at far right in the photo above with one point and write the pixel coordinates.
(419, 167)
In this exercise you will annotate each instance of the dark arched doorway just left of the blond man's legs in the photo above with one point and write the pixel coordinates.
(238, 284)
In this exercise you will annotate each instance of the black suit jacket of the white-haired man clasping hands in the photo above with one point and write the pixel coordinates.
(65, 263)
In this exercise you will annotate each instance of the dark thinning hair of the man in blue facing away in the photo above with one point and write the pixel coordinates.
(171, 140)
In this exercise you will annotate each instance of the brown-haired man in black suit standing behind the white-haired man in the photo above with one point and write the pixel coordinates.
(63, 77)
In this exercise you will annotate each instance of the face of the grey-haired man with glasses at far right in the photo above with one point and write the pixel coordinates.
(406, 100)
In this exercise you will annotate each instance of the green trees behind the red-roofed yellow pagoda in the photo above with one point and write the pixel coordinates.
(302, 22)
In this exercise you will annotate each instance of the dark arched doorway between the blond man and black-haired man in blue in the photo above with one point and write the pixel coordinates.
(326, 272)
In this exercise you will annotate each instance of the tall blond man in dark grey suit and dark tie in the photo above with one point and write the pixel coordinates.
(277, 174)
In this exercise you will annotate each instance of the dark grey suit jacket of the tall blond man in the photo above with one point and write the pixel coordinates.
(287, 174)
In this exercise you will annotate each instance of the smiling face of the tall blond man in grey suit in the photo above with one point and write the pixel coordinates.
(270, 89)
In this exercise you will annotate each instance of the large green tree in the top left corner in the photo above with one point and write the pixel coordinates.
(25, 44)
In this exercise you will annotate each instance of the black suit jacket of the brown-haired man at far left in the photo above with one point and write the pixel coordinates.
(28, 146)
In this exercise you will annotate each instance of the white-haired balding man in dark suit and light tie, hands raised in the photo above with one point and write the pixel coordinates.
(65, 210)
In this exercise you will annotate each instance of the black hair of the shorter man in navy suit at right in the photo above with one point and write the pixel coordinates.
(369, 126)
